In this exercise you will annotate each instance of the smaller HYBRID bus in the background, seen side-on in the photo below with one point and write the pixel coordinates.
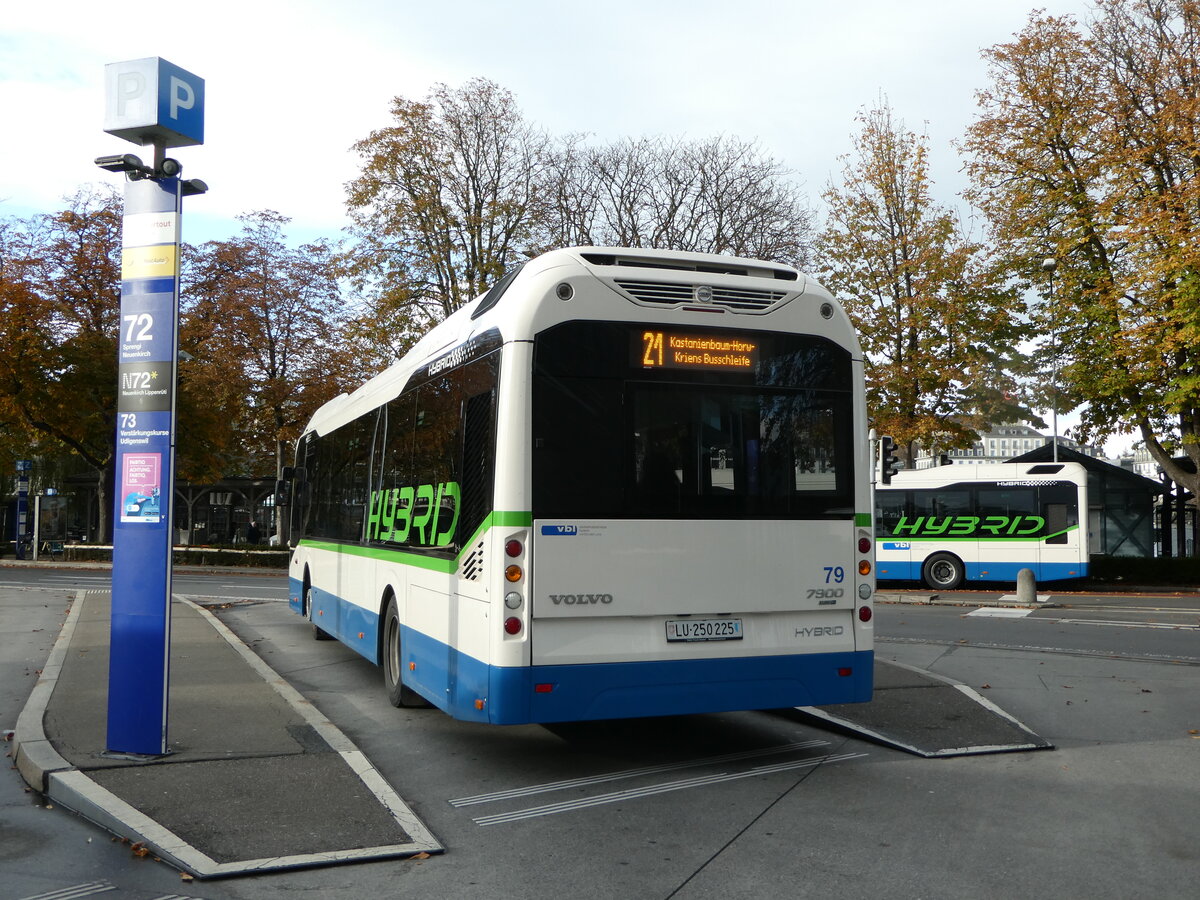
(955, 524)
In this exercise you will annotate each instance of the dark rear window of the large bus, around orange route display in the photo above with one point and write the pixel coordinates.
(776, 443)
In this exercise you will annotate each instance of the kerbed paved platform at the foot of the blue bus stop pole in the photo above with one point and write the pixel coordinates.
(256, 779)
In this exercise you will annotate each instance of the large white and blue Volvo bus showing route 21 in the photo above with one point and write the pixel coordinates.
(622, 483)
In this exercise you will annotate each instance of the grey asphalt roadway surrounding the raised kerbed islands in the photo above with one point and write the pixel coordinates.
(1111, 813)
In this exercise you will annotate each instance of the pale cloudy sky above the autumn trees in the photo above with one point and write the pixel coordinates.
(291, 86)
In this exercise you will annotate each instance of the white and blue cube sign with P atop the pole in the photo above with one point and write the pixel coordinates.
(152, 101)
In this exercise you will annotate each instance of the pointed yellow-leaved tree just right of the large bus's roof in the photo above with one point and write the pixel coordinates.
(939, 329)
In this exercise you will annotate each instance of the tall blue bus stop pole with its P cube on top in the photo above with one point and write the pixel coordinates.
(149, 103)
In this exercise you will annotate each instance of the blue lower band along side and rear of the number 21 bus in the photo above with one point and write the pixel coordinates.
(455, 681)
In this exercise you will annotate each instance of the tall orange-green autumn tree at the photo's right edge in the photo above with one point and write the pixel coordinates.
(1087, 151)
